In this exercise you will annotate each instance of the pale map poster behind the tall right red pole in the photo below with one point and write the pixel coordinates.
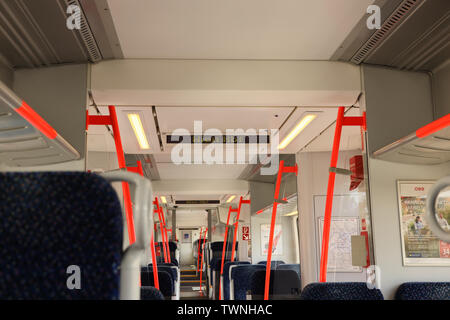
(340, 245)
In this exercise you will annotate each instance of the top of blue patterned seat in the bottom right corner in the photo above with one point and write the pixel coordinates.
(423, 291)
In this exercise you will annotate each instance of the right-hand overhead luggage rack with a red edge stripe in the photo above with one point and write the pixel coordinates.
(427, 145)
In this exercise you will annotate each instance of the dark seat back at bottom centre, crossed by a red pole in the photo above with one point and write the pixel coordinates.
(284, 285)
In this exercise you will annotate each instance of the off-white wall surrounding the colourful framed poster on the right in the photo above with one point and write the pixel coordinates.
(386, 225)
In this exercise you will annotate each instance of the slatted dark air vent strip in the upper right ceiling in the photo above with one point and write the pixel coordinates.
(389, 26)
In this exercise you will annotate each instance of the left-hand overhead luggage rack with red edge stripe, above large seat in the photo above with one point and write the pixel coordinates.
(26, 139)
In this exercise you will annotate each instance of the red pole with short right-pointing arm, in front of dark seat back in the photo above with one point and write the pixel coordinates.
(282, 169)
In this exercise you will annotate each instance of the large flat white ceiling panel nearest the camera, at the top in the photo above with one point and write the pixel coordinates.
(234, 29)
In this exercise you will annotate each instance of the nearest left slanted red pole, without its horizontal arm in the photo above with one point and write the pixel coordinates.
(122, 165)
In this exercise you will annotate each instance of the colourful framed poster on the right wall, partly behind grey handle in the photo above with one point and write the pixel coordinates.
(420, 247)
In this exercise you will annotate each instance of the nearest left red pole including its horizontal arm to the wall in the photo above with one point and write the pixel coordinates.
(112, 120)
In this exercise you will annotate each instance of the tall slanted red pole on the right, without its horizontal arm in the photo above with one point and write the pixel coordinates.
(330, 194)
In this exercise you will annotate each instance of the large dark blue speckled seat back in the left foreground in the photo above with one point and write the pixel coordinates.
(52, 220)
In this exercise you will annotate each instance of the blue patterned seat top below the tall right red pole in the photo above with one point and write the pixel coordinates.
(340, 291)
